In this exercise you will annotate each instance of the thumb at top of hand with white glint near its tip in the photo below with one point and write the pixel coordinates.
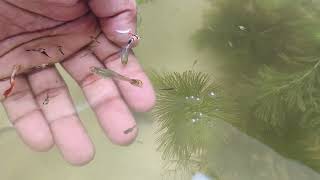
(116, 15)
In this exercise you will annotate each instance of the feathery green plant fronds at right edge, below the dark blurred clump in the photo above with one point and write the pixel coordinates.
(284, 93)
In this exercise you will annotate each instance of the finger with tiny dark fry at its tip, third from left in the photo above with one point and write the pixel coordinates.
(103, 96)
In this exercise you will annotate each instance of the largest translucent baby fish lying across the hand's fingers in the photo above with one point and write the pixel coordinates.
(107, 73)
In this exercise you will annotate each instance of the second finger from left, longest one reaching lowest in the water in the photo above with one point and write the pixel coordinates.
(54, 100)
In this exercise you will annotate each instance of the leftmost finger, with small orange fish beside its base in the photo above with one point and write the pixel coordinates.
(26, 116)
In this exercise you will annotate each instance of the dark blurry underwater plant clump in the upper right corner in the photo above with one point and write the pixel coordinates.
(254, 32)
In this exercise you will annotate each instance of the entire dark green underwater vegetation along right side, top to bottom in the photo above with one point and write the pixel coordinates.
(275, 45)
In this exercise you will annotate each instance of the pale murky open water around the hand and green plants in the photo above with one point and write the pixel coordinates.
(167, 30)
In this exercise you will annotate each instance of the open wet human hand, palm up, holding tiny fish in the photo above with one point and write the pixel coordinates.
(40, 107)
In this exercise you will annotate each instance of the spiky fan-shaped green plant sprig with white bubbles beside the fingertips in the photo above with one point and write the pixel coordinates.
(188, 106)
